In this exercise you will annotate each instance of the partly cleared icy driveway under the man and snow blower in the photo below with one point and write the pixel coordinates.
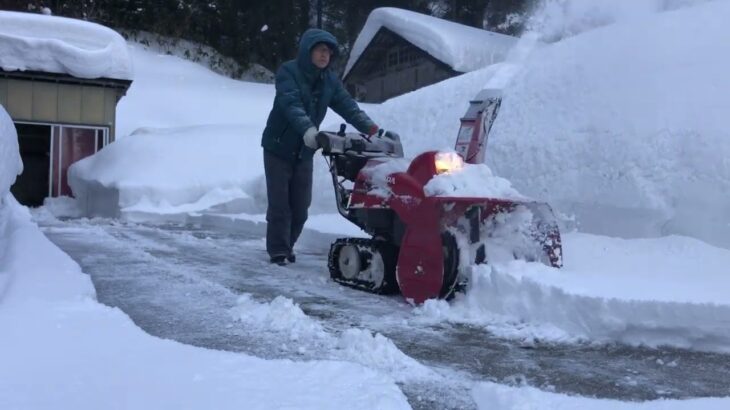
(185, 282)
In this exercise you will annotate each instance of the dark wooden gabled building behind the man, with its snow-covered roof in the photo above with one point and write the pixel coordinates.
(399, 51)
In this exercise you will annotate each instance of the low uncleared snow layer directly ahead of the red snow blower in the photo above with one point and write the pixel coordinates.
(668, 291)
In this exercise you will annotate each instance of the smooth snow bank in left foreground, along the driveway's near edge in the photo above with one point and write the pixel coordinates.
(84, 355)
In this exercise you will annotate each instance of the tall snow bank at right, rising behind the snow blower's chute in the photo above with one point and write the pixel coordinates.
(630, 136)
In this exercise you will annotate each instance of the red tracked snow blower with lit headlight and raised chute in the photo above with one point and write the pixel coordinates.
(418, 242)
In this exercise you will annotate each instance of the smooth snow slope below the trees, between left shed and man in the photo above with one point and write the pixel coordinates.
(171, 92)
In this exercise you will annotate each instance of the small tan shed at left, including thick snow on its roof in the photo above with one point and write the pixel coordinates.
(62, 112)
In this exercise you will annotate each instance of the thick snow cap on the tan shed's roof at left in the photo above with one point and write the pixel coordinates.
(36, 42)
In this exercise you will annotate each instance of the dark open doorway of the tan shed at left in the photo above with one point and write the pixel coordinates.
(31, 187)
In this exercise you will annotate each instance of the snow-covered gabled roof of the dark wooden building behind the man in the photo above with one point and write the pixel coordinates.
(461, 47)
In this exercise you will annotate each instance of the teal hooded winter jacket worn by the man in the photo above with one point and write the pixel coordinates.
(303, 94)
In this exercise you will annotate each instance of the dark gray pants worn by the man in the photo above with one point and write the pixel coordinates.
(289, 190)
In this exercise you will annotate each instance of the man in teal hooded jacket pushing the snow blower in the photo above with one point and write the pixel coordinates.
(305, 88)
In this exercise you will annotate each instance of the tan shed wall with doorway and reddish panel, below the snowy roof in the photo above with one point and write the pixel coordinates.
(60, 119)
